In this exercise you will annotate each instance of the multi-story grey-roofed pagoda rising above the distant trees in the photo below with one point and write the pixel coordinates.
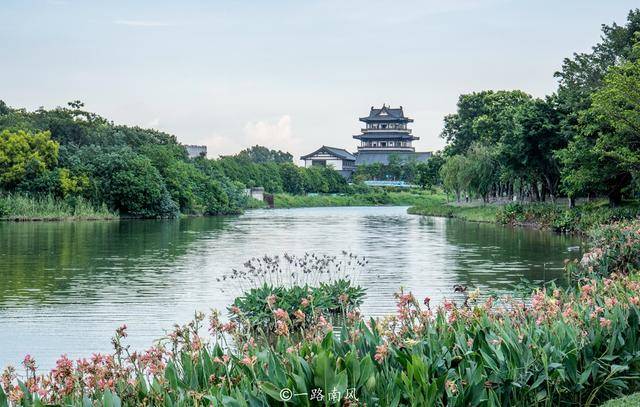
(386, 133)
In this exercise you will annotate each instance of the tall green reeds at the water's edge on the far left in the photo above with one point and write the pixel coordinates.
(17, 207)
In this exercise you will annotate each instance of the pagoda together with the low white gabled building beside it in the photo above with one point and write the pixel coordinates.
(385, 134)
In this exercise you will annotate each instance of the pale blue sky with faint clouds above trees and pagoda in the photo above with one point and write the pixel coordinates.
(290, 75)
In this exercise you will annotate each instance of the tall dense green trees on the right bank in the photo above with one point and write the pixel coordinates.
(584, 140)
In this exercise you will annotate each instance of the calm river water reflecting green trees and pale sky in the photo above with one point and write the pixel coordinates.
(65, 287)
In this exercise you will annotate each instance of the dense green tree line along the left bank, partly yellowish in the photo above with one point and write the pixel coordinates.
(68, 153)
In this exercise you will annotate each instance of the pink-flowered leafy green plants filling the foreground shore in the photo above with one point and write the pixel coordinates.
(296, 329)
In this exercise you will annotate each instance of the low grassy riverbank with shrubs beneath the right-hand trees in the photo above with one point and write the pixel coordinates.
(545, 216)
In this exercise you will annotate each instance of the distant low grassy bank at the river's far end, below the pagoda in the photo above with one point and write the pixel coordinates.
(376, 198)
